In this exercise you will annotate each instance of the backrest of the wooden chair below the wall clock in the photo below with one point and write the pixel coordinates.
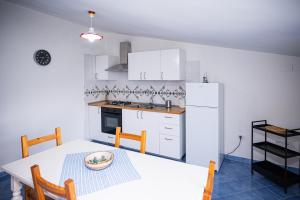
(28, 143)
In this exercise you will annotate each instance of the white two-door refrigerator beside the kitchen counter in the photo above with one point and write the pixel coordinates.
(204, 123)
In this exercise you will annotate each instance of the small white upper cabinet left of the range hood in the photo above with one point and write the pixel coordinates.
(102, 63)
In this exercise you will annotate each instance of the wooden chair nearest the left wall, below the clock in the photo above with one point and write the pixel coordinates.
(29, 192)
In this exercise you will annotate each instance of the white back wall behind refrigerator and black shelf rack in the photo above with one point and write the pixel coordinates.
(257, 85)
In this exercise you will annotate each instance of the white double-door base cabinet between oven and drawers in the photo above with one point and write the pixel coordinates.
(134, 121)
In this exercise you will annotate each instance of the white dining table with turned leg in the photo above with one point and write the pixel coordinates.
(160, 178)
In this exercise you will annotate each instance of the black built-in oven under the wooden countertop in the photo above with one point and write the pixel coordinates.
(110, 119)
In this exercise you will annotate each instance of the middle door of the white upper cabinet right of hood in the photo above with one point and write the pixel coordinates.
(151, 65)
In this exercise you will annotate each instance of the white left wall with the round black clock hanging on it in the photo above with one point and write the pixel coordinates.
(34, 99)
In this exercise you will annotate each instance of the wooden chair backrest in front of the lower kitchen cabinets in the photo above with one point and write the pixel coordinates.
(141, 138)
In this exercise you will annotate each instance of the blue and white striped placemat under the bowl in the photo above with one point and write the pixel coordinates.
(88, 181)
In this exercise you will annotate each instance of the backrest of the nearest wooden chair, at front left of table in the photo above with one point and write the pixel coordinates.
(40, 184)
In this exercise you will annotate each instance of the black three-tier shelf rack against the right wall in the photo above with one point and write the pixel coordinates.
(280, 175)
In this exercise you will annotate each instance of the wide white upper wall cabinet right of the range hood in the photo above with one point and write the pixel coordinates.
(157, 65)
